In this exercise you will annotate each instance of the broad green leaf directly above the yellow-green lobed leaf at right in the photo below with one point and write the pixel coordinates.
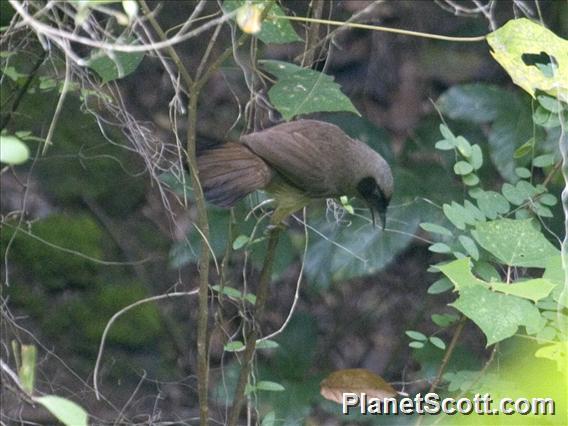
(515, 242)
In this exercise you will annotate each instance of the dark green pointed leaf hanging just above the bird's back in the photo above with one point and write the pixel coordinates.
(304, 91)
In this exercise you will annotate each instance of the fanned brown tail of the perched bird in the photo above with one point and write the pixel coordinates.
(230, 172)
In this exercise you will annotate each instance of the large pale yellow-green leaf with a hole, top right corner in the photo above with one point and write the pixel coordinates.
(520, 45)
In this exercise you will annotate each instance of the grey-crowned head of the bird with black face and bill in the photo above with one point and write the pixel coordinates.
(376, 189)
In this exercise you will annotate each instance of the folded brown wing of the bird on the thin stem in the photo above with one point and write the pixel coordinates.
(296, 151)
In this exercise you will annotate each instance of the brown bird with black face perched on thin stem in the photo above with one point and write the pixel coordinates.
(296, 162)
